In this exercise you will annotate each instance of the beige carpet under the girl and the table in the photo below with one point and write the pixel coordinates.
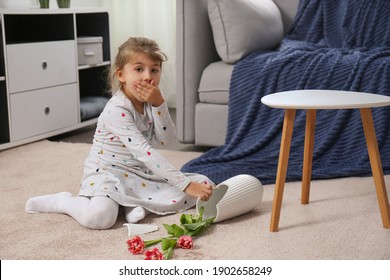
(341, 222)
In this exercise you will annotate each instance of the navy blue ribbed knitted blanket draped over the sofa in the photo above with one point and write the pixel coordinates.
(337, 45)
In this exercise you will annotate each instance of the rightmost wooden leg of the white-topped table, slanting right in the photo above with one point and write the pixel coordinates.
(376, 165)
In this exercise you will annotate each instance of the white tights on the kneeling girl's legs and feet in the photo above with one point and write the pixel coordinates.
(98, 212)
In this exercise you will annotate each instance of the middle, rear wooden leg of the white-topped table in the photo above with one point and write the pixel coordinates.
(308, 155)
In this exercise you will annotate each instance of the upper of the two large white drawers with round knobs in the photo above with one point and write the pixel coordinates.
(38, 65)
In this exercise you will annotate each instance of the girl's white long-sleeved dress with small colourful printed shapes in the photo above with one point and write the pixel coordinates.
(123, 166)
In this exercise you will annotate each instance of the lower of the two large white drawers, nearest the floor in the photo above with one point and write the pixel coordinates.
(40, 111)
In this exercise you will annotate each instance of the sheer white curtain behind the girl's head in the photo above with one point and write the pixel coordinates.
(155, 19)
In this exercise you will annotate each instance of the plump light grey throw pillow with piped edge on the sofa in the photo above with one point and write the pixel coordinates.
(242, 26)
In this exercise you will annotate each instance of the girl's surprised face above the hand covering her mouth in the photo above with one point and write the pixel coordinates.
(140, 68)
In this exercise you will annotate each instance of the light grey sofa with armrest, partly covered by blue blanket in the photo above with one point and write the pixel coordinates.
(203, 79)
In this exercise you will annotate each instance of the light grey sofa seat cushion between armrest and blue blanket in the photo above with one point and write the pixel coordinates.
(215, 82)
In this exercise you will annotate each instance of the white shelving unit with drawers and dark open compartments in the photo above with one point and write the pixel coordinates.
(41, 81)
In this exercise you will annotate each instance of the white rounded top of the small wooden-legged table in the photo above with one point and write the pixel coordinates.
(324, 99)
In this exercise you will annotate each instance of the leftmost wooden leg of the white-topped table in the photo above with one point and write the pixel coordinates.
(288, 125)
